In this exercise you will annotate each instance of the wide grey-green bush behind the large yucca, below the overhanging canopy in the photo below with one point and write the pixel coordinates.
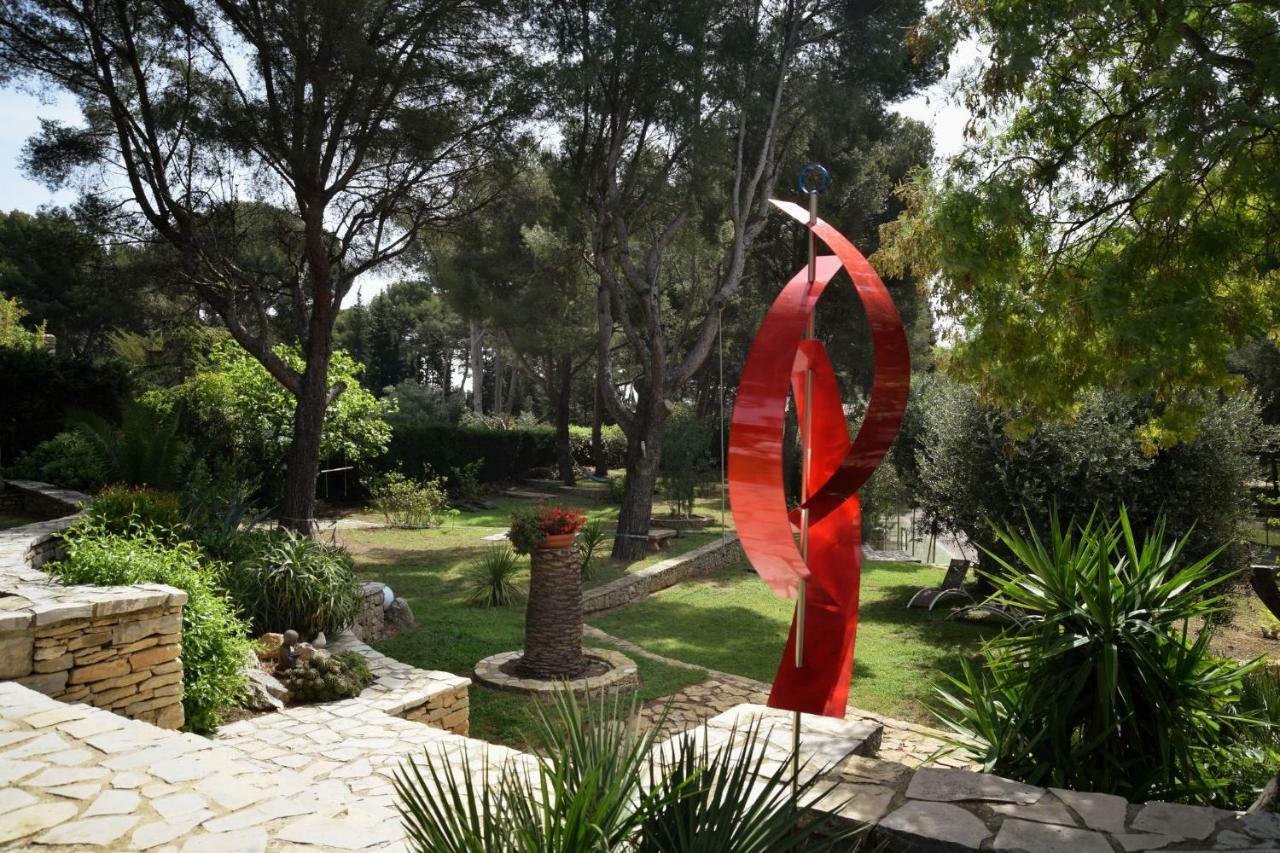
(973, 472)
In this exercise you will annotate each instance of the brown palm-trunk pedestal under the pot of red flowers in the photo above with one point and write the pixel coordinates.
(554, 618)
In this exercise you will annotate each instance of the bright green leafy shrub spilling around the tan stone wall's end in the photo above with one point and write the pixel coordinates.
(214, 641)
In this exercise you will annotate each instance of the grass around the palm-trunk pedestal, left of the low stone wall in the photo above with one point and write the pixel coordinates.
(429, 568)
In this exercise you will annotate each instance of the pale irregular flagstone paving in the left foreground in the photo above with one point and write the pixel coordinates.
(318, 778)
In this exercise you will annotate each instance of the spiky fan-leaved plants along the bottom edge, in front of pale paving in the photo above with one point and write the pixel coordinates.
(601, 783)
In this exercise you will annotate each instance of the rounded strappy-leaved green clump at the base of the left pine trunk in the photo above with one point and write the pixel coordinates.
(294, 582)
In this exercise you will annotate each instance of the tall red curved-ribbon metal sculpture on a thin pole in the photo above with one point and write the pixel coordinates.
(822, 571)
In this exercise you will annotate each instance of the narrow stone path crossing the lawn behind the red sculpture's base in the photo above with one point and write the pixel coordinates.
(903, 742)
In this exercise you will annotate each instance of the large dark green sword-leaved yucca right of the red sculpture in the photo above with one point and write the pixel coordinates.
(1105, 687)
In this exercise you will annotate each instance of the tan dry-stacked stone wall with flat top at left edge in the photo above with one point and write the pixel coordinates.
(111, 647)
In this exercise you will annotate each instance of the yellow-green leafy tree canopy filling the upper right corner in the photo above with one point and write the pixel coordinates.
(1114, 221)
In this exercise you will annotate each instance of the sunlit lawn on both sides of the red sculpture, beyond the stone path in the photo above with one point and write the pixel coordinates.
(733, 623)
